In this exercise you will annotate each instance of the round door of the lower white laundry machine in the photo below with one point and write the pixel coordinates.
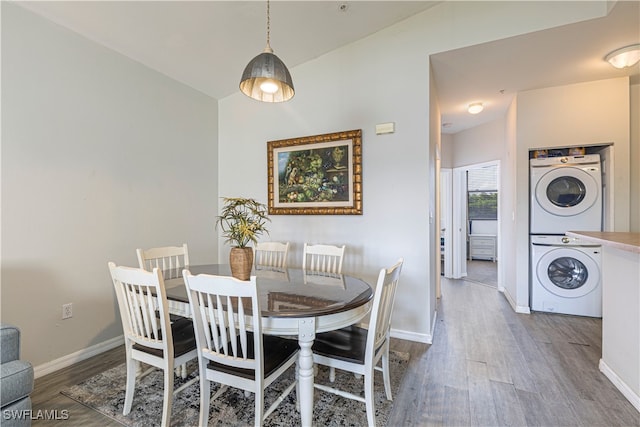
(568, 272)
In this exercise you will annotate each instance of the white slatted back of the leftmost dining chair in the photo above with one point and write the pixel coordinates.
(143, 306)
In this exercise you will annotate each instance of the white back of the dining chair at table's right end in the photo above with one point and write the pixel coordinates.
(383, 299)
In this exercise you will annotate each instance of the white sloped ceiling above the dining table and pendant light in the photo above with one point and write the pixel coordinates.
(207, 44)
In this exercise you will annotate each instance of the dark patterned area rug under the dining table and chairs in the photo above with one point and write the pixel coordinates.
(105, 393)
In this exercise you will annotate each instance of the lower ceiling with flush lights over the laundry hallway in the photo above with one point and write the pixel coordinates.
(492, 73)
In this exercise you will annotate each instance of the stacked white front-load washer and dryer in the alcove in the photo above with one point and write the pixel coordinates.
(566, 195)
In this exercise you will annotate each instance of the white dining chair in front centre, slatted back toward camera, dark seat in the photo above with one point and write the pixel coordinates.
(232, 350)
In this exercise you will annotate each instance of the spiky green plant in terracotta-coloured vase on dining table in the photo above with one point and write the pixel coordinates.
(242, 221)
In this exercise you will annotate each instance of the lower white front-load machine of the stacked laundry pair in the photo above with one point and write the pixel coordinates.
(565, 276)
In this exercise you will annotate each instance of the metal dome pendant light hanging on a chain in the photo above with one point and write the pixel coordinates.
(266, 78)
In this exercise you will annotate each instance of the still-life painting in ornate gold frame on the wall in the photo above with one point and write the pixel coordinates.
(316, 175)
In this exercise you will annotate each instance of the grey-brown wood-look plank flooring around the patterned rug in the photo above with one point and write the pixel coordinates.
(487, 366)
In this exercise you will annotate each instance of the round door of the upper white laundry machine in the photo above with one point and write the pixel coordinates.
(566, 191)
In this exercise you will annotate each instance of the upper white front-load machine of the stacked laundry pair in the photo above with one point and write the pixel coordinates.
(566, 194)
